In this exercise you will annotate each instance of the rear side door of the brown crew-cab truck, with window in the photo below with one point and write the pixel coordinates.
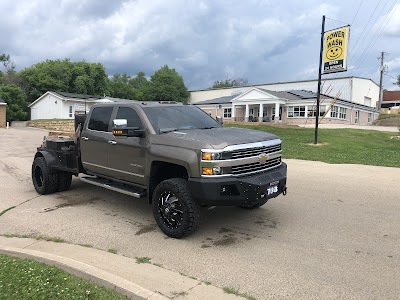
(94, 141)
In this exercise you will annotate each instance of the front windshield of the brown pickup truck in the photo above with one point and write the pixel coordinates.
(173, 118)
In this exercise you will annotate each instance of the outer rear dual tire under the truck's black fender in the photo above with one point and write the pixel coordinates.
(43, 181)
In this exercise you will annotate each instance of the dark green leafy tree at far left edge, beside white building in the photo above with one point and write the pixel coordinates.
(17, 106)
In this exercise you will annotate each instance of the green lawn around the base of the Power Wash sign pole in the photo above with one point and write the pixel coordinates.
(339, 146)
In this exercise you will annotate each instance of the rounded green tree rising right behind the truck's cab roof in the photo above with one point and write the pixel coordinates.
(166, 85)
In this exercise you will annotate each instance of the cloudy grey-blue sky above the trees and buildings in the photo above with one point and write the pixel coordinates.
(261, 40)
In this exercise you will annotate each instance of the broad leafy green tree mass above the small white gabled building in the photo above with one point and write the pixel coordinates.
(64, 76)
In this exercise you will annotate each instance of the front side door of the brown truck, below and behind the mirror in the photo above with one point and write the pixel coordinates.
(126, 155)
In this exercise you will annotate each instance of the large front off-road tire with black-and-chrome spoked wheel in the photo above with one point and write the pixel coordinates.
(174, 194)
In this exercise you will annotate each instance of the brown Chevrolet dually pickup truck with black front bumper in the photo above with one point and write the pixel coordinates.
(173, 154)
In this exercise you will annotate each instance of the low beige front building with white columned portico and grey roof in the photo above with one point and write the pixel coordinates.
(297, 107)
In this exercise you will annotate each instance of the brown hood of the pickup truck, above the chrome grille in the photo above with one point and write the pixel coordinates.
(215, 138)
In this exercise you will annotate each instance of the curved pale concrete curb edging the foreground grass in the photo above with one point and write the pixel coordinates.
(86, 272)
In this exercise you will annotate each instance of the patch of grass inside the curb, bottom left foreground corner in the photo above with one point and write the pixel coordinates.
(26, 279)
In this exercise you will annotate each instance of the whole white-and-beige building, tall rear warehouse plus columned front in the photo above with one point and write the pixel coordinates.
(349, 100)
